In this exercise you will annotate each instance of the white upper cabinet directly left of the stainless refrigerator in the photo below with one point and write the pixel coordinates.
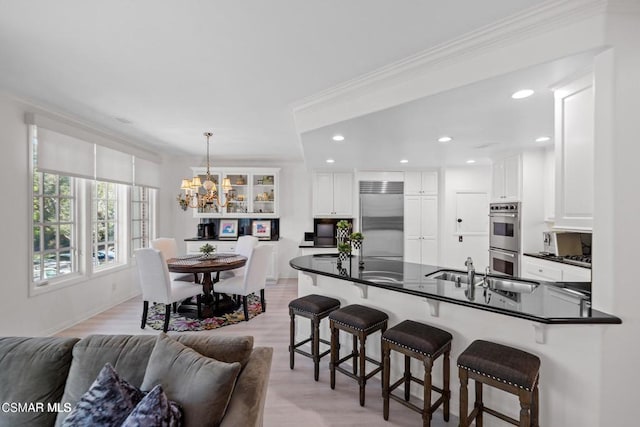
(333, 194)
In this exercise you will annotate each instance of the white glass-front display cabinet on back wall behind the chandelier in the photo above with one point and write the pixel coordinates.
(243, 192)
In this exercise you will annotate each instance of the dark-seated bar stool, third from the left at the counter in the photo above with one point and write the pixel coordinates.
(425, 343)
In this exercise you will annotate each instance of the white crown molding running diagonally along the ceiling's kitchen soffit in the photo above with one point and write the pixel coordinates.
(540, 19)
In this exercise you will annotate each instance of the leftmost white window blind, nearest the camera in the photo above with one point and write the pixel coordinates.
(64, 155)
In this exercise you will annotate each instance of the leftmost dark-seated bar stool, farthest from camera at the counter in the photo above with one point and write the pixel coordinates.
(316, 308)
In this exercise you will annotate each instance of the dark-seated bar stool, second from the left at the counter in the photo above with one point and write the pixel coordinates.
(359, 321)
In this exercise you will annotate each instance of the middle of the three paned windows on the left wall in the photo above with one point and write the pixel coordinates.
(105, 224)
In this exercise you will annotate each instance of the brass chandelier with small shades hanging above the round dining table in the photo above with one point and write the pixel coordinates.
(198, 194)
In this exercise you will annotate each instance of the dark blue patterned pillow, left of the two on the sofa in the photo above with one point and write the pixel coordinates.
(108, 401)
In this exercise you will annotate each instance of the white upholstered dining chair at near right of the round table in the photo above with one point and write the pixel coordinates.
(254, 279)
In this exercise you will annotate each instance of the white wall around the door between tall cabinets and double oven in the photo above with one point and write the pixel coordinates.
(453, 253)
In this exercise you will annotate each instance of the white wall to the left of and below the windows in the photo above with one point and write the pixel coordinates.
(49, 312)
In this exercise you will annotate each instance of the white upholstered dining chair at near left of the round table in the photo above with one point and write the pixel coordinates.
(157, 285)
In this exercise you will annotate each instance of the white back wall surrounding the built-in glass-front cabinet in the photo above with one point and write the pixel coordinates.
(294, 206)
